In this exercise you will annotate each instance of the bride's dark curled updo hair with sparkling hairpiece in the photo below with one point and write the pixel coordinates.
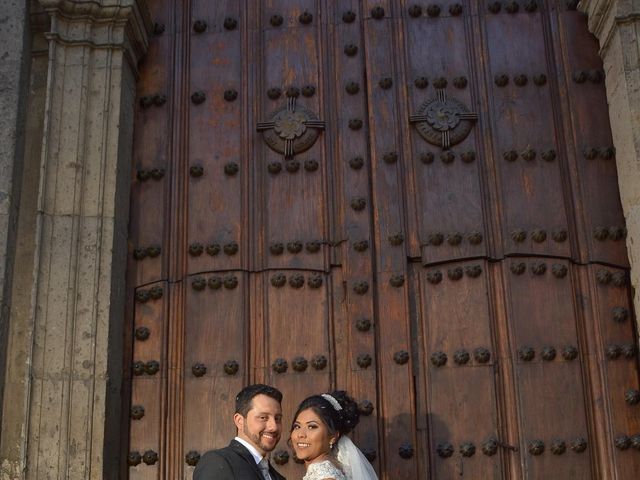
(337, 421)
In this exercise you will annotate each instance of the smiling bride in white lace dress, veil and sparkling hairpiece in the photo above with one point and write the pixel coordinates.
(318, 437)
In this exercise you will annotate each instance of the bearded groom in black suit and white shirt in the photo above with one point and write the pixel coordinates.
(258, 419)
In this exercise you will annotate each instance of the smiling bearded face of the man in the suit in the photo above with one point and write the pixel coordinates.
(262, 426)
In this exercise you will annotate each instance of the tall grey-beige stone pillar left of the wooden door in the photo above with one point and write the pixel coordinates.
(72, 371)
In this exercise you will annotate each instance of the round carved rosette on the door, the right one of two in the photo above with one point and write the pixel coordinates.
(443, 121)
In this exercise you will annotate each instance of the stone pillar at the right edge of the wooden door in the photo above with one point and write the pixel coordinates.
(616, 24)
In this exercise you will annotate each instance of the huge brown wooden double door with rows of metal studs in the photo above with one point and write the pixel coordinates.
(416, 202)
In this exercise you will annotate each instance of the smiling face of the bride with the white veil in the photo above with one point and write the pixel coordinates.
(310, 437)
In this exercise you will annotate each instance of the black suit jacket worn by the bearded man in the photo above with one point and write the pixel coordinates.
(234, 462)
